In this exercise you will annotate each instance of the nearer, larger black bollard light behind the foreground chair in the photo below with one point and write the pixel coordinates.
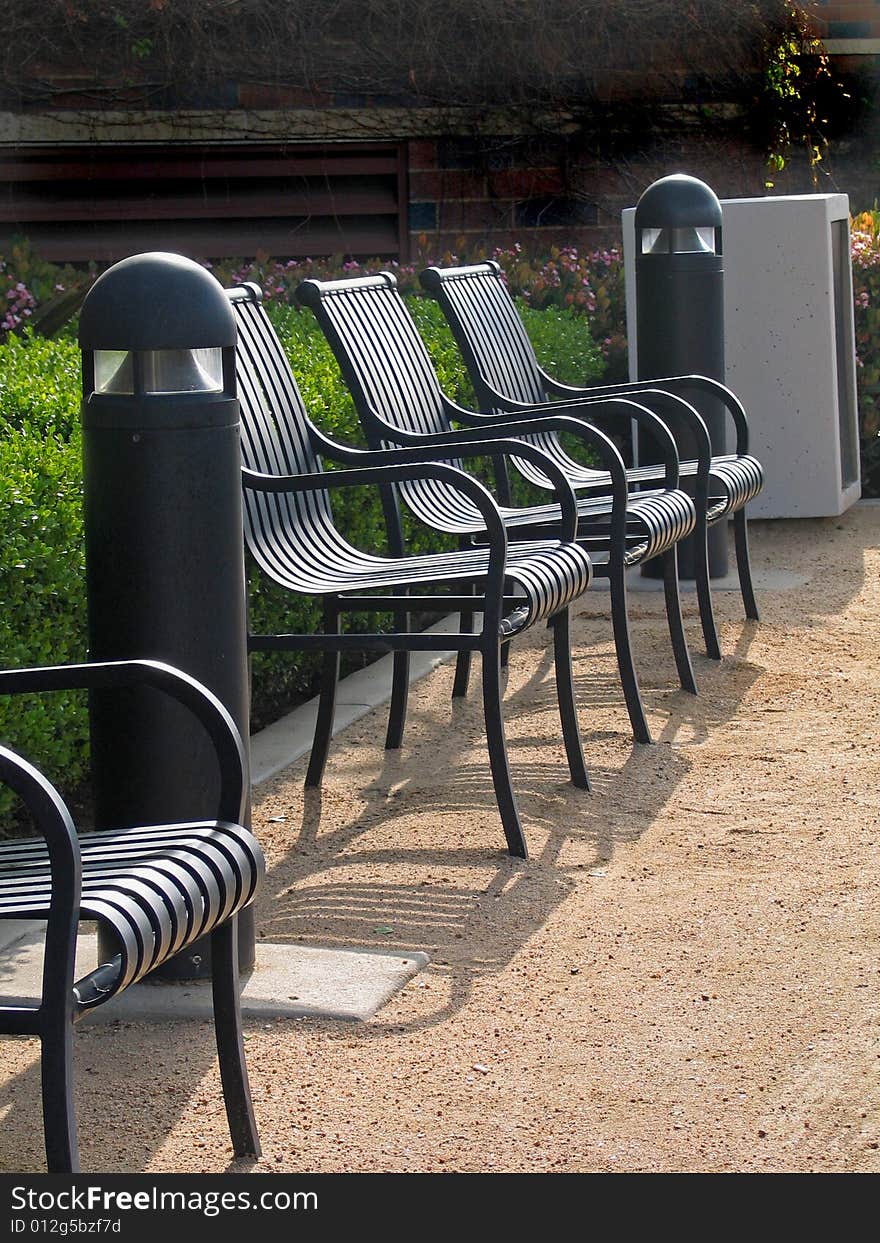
(165, 557)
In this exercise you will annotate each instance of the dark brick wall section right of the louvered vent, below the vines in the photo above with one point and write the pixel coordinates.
(572, 191)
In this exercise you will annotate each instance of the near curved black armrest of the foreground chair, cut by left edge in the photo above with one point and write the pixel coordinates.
(54, 823)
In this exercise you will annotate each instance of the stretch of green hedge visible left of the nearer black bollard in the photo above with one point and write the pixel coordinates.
(42, 550)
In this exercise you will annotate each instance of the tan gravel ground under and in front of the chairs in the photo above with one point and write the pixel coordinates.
(684, 976)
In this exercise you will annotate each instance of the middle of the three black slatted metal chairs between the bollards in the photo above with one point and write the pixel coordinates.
(400, 401)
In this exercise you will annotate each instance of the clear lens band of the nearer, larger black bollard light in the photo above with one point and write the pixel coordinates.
(158, 371)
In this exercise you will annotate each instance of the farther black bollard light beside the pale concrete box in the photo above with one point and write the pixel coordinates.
(681, 319)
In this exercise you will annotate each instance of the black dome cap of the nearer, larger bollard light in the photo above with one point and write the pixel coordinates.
(157, 301)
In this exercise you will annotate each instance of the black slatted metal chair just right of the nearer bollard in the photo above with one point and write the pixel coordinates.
(291, 534)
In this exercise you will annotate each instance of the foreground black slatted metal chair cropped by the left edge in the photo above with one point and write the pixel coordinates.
(154, 891)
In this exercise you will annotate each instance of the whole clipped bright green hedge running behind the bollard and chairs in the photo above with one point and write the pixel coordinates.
(42, 555)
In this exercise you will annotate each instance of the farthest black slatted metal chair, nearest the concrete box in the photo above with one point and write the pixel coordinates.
(506, 376)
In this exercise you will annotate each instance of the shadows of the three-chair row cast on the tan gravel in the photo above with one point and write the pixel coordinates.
(469, 906)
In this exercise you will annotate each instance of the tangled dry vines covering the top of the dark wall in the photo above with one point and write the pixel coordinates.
(580, 70)
